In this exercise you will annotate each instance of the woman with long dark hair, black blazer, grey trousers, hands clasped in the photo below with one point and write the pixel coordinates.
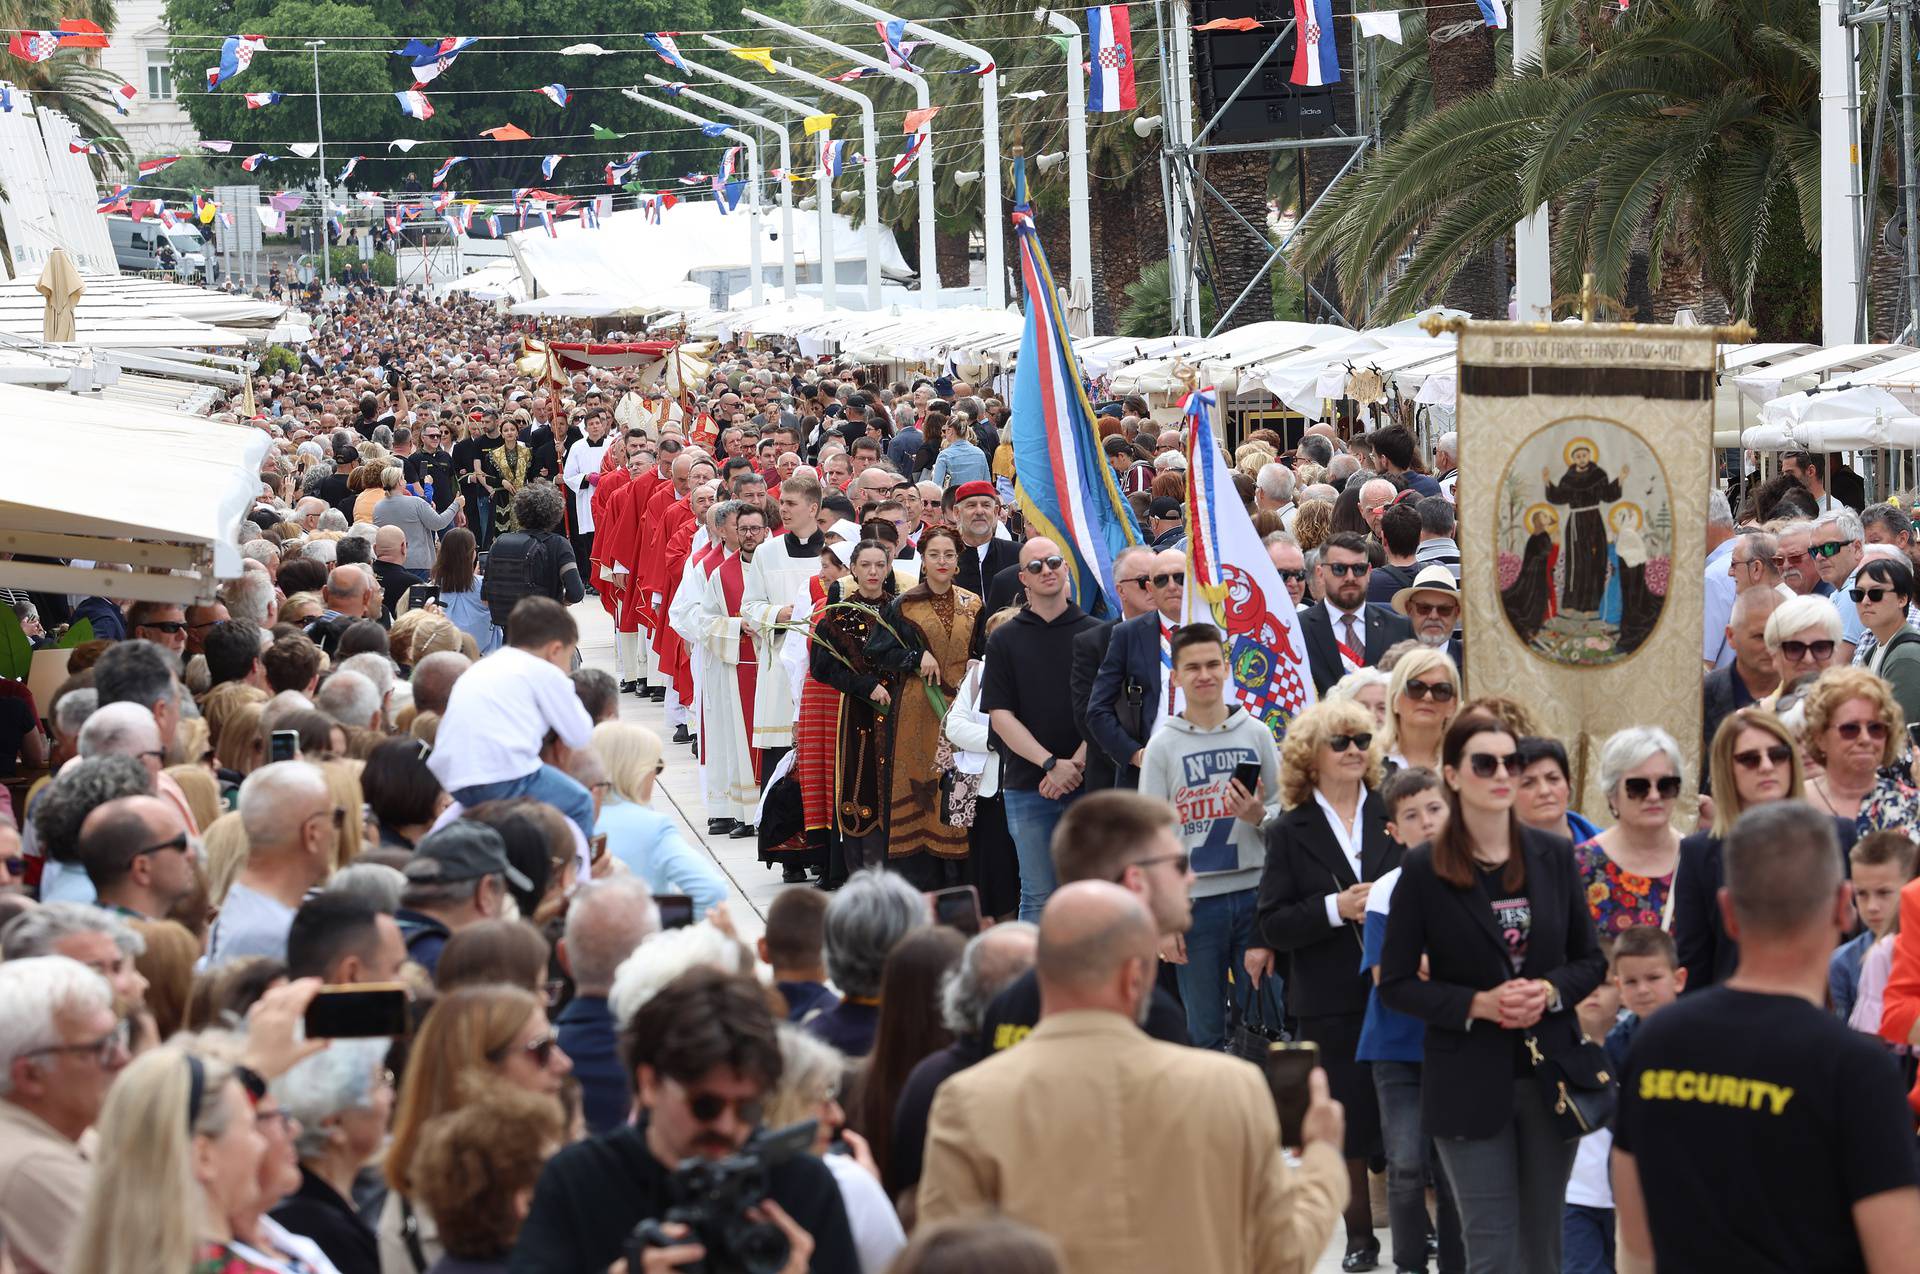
(1499, 914)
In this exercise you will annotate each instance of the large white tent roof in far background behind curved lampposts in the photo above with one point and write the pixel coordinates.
(633, 260)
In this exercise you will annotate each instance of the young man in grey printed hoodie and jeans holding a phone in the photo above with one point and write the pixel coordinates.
(1218, 767)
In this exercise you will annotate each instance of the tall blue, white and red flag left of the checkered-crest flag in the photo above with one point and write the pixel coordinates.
(1063, 481)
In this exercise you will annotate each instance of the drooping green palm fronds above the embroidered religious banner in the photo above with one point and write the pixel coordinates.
(1685, 133)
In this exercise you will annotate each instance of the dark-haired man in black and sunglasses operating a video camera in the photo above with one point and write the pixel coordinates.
(704, 1056)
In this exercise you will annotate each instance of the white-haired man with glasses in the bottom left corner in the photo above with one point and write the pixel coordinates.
(60, 1052)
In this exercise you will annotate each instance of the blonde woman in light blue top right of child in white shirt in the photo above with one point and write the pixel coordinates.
(646, 841)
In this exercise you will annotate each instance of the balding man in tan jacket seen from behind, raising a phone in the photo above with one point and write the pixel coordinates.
(1138, 1156)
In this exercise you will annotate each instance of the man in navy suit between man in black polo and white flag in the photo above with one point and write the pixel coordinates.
(1134, 692)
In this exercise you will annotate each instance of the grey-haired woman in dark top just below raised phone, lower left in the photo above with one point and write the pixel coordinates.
(343, 1100)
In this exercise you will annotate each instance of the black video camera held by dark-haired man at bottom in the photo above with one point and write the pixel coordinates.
(711, 1200)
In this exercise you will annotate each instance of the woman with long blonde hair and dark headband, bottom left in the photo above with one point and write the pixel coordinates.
(180, 1154)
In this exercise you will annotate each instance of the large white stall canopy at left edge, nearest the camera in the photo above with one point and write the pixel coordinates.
(87, 477)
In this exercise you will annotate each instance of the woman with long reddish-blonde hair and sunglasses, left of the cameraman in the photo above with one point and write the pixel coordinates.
(494, 1031)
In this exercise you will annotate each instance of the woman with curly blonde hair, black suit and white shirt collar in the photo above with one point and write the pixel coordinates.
(1324, 855)
